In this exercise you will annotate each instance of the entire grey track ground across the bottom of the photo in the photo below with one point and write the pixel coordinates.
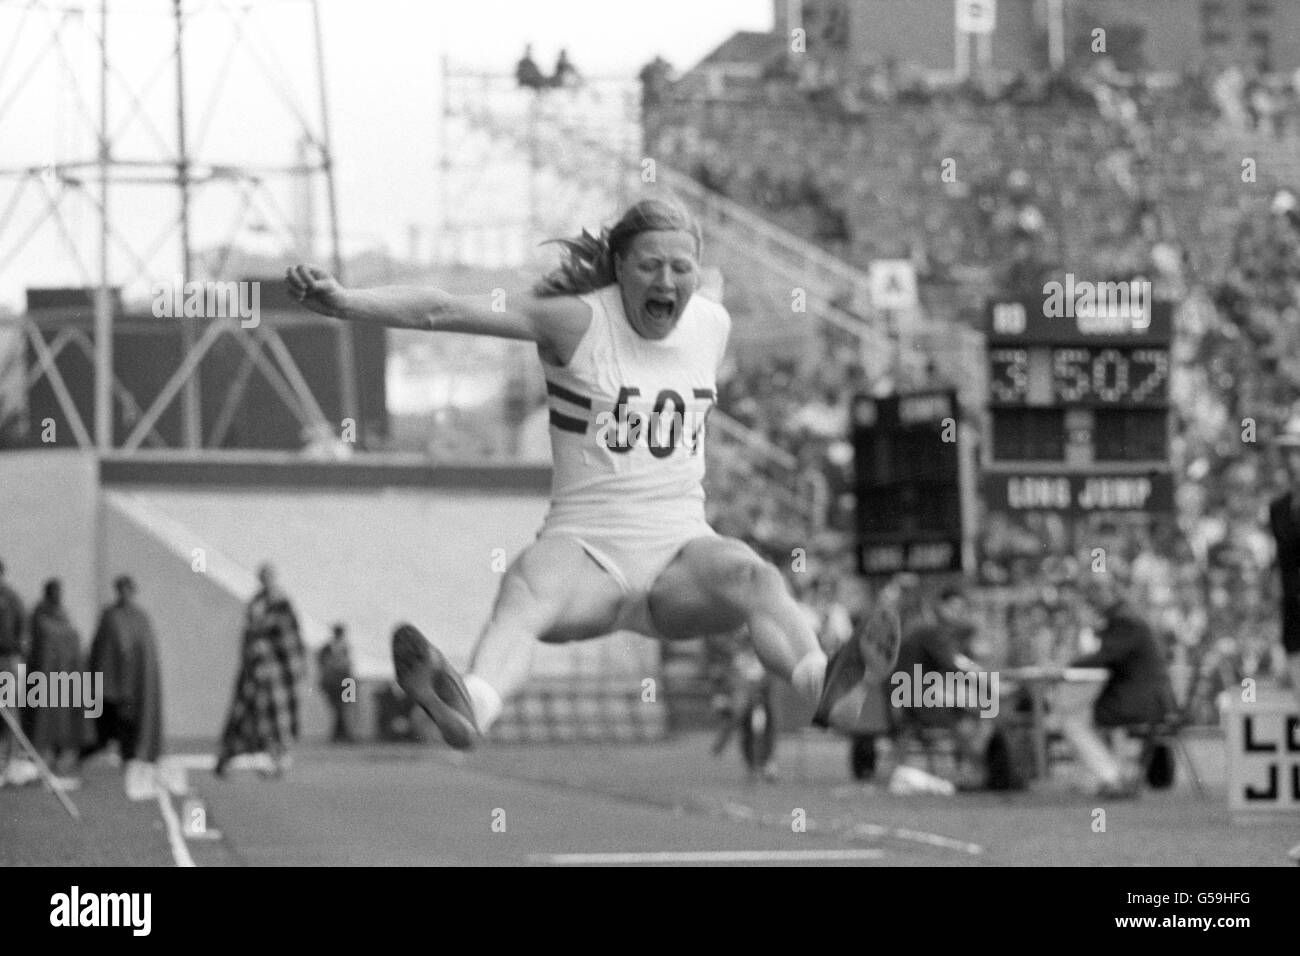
(642, 804)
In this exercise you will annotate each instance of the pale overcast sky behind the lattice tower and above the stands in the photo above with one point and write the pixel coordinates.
(383, 73)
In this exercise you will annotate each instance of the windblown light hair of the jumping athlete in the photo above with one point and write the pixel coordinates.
(588, 258)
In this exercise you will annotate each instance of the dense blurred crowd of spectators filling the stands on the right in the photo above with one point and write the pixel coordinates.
(1103, 174)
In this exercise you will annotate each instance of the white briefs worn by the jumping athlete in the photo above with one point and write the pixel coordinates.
(634, 561)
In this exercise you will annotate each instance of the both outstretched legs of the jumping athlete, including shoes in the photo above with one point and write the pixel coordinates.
(556, 592)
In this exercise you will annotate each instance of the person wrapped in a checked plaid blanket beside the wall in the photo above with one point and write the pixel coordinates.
(265, 712)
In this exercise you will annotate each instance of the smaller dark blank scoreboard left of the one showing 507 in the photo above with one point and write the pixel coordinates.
(908, 483)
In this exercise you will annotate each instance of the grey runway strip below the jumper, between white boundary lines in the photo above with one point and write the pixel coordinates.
(400, 807)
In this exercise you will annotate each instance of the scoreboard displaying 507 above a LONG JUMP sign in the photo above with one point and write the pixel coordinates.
(1078, 409)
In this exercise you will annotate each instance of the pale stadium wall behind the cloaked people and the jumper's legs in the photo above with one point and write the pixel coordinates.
(358, 552)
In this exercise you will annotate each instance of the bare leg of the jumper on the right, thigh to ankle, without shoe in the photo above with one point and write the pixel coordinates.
(717, 585)
